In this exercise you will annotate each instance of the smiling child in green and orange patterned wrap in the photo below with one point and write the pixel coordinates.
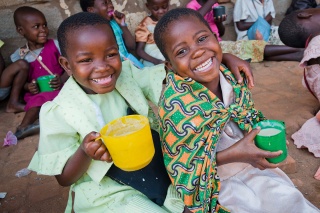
(206, 122)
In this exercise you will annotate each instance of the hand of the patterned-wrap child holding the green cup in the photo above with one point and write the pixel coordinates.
(247, 151)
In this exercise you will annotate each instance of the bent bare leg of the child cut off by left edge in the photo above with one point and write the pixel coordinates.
(15, 76)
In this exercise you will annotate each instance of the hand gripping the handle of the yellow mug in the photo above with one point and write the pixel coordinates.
(95, 148)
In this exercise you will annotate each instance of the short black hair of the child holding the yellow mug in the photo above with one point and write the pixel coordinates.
(74, 23)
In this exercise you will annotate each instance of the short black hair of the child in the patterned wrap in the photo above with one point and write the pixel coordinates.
(171, 16)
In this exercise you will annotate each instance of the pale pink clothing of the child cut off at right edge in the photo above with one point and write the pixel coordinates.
(309, 134)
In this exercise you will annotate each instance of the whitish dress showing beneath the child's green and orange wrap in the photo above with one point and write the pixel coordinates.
(245, 189)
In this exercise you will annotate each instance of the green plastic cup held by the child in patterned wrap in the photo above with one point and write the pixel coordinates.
(272, 137)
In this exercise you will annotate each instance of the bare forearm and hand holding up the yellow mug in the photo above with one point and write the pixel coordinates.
(79, 163)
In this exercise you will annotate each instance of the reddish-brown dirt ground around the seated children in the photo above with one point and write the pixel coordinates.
(278, 93)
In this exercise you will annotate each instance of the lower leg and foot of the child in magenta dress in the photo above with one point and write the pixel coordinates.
(27, 126)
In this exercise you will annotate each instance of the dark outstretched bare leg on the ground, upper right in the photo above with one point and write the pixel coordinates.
(282, 53)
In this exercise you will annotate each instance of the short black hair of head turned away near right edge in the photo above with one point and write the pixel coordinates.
(292, 32)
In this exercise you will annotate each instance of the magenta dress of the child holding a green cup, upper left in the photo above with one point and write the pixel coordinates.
(49, 55)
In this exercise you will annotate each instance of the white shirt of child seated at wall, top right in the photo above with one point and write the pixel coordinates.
(245, 10)
